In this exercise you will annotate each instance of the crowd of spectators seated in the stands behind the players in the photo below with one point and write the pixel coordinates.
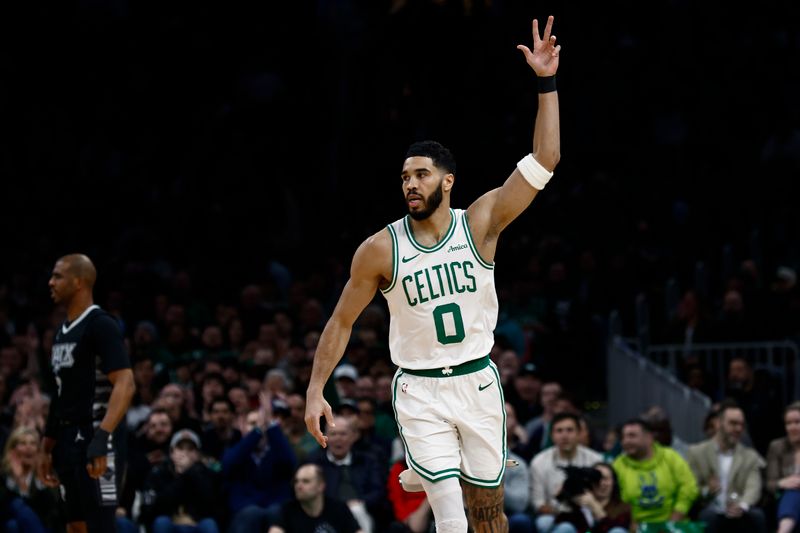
(215, 437)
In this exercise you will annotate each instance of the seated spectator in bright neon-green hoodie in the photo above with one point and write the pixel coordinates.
(655, 480)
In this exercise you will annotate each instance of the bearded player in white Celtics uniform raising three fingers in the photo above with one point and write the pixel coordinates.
(435, 269)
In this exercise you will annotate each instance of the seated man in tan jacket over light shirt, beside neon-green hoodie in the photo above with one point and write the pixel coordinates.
(729, 477)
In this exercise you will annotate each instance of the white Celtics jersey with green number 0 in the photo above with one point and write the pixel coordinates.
(442, 299)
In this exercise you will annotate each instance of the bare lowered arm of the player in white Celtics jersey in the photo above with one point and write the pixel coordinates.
(371, 267)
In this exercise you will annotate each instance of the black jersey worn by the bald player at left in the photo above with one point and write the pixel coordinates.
(84, 352)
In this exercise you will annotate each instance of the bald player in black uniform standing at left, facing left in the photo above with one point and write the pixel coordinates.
(94, 386)
